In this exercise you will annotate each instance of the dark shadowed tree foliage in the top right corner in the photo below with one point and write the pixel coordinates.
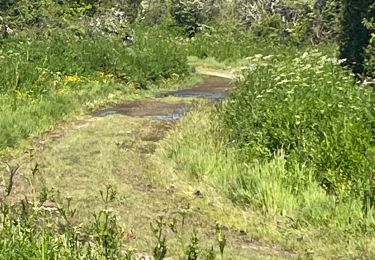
(355, 36)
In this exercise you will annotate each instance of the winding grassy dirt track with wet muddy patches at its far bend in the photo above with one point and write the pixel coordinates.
(115, 147)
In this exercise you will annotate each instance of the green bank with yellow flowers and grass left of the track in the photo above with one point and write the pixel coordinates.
(44, 79)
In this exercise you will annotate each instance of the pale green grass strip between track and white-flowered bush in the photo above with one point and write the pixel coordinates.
(272, 213)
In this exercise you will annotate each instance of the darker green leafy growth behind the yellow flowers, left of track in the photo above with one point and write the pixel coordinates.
(34, 64)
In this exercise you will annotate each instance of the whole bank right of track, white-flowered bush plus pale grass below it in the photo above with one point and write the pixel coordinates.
(295, 142)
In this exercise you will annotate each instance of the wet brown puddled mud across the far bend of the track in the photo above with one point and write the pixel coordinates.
(211, 88)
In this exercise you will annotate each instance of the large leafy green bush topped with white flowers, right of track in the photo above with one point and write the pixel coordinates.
(307, 106)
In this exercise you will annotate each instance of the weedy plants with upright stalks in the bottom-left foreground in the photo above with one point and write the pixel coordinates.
(45, 225)
